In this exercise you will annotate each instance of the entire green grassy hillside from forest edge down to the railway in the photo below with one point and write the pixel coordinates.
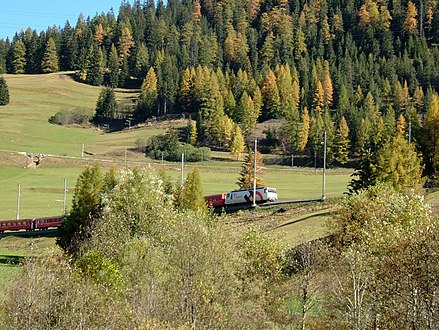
(24, 127)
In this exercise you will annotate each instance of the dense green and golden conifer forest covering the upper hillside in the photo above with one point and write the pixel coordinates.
(360, 71)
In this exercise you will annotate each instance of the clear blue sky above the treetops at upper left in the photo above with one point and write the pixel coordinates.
(39, 14)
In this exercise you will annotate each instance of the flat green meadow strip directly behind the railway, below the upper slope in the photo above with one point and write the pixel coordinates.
(42, 188)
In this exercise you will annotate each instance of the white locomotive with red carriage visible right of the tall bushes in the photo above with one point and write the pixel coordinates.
(242, 197)
